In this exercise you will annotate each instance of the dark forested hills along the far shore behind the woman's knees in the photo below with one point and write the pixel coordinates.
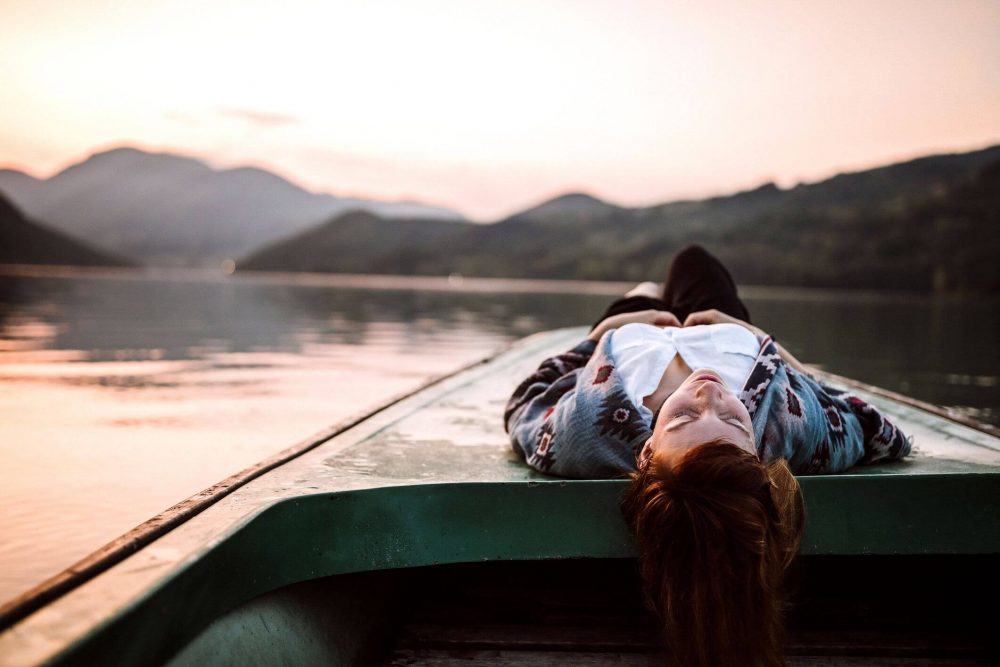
(931, 223)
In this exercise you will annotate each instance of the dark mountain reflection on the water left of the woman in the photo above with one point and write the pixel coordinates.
(140, 320)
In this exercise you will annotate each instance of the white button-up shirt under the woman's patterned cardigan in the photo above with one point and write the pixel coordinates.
(642, 353)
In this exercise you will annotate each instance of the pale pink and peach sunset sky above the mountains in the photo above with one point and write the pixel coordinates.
(488, 107)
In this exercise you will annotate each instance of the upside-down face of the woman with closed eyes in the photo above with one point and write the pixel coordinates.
(702, 409)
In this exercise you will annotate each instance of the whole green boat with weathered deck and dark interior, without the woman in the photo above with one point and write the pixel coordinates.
(414, 536)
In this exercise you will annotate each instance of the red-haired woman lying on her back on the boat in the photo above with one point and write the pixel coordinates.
(711, 419)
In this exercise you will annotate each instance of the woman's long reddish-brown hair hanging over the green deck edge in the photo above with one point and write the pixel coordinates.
(716, 530)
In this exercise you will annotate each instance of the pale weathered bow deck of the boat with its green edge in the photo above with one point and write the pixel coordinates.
(432, 480)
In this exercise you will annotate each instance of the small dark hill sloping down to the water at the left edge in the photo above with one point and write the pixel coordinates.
(25, 242)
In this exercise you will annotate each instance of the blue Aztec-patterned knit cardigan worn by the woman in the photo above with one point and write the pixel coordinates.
(572, 418)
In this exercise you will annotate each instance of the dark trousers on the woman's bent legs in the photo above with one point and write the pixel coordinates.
(696, 281)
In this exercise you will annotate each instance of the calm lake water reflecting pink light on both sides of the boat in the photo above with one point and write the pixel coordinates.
(122, 395)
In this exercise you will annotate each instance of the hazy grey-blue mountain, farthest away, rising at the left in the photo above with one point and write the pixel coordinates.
(168, 209)
